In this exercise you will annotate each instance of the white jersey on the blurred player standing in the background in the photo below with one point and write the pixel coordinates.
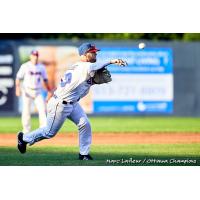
(32, 75)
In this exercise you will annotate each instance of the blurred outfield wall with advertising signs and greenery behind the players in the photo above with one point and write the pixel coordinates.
(161, 79)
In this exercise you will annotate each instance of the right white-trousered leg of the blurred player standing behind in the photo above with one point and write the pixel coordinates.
(41, 107)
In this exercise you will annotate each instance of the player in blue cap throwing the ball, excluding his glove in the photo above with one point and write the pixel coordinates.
(74, 85)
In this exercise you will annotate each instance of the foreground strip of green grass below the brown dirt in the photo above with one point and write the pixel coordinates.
(105, 155)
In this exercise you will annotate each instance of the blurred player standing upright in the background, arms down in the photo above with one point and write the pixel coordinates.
(32, 74)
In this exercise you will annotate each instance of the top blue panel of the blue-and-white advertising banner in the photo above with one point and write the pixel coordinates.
(150, 60)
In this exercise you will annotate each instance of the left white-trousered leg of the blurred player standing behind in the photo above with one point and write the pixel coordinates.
(26, 113)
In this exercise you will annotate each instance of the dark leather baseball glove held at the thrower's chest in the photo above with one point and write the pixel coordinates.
(102, 76)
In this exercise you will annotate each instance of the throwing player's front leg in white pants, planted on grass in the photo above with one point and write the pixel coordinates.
(79, 117)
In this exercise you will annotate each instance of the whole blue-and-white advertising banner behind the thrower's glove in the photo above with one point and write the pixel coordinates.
(144, 86)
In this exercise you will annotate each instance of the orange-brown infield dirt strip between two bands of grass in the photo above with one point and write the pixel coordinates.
(69, 139)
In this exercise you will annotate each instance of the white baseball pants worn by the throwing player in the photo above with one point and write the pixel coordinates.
(57, 113)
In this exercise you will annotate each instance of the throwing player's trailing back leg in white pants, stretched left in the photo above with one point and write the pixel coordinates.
(56, 115)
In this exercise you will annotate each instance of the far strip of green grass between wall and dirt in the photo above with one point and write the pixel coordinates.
(116, 124)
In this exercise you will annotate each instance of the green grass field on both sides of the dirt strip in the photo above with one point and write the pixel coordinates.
(109, 155)
